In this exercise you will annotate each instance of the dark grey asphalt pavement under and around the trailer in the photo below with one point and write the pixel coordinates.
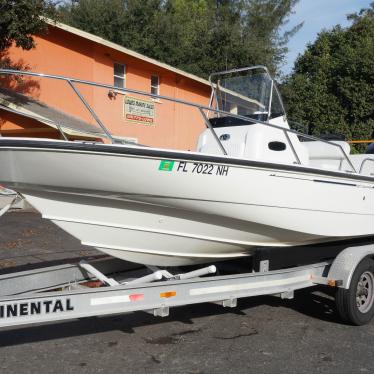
(261, 335)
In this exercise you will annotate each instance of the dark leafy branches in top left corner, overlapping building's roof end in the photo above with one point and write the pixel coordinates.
(21, 19)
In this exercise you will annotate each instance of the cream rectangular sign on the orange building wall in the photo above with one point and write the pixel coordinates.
(139, 111)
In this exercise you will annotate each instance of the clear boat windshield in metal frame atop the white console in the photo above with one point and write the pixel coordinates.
(247, 92)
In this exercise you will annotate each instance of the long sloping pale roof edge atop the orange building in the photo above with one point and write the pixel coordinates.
(127, 51)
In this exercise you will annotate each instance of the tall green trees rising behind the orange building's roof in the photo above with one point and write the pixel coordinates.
(199, 36)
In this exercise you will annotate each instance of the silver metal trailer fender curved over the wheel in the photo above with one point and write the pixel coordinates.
(345, 263)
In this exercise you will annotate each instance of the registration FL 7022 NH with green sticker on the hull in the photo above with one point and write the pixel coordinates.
(194, 167)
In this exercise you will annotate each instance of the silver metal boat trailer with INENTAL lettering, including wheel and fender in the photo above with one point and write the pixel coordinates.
(107, 286)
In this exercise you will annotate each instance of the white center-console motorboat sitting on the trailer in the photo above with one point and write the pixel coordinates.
(251, 182)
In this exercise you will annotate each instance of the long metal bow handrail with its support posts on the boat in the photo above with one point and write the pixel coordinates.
(71, 82)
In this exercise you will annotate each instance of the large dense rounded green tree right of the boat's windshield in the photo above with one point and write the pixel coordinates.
(332, 86)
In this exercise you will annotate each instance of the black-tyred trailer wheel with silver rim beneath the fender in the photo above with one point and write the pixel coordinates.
(356, 304)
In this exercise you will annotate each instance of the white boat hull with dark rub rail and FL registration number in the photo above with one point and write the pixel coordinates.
(172, 209)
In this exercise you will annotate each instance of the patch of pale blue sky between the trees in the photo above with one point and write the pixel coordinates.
(317, 15)
